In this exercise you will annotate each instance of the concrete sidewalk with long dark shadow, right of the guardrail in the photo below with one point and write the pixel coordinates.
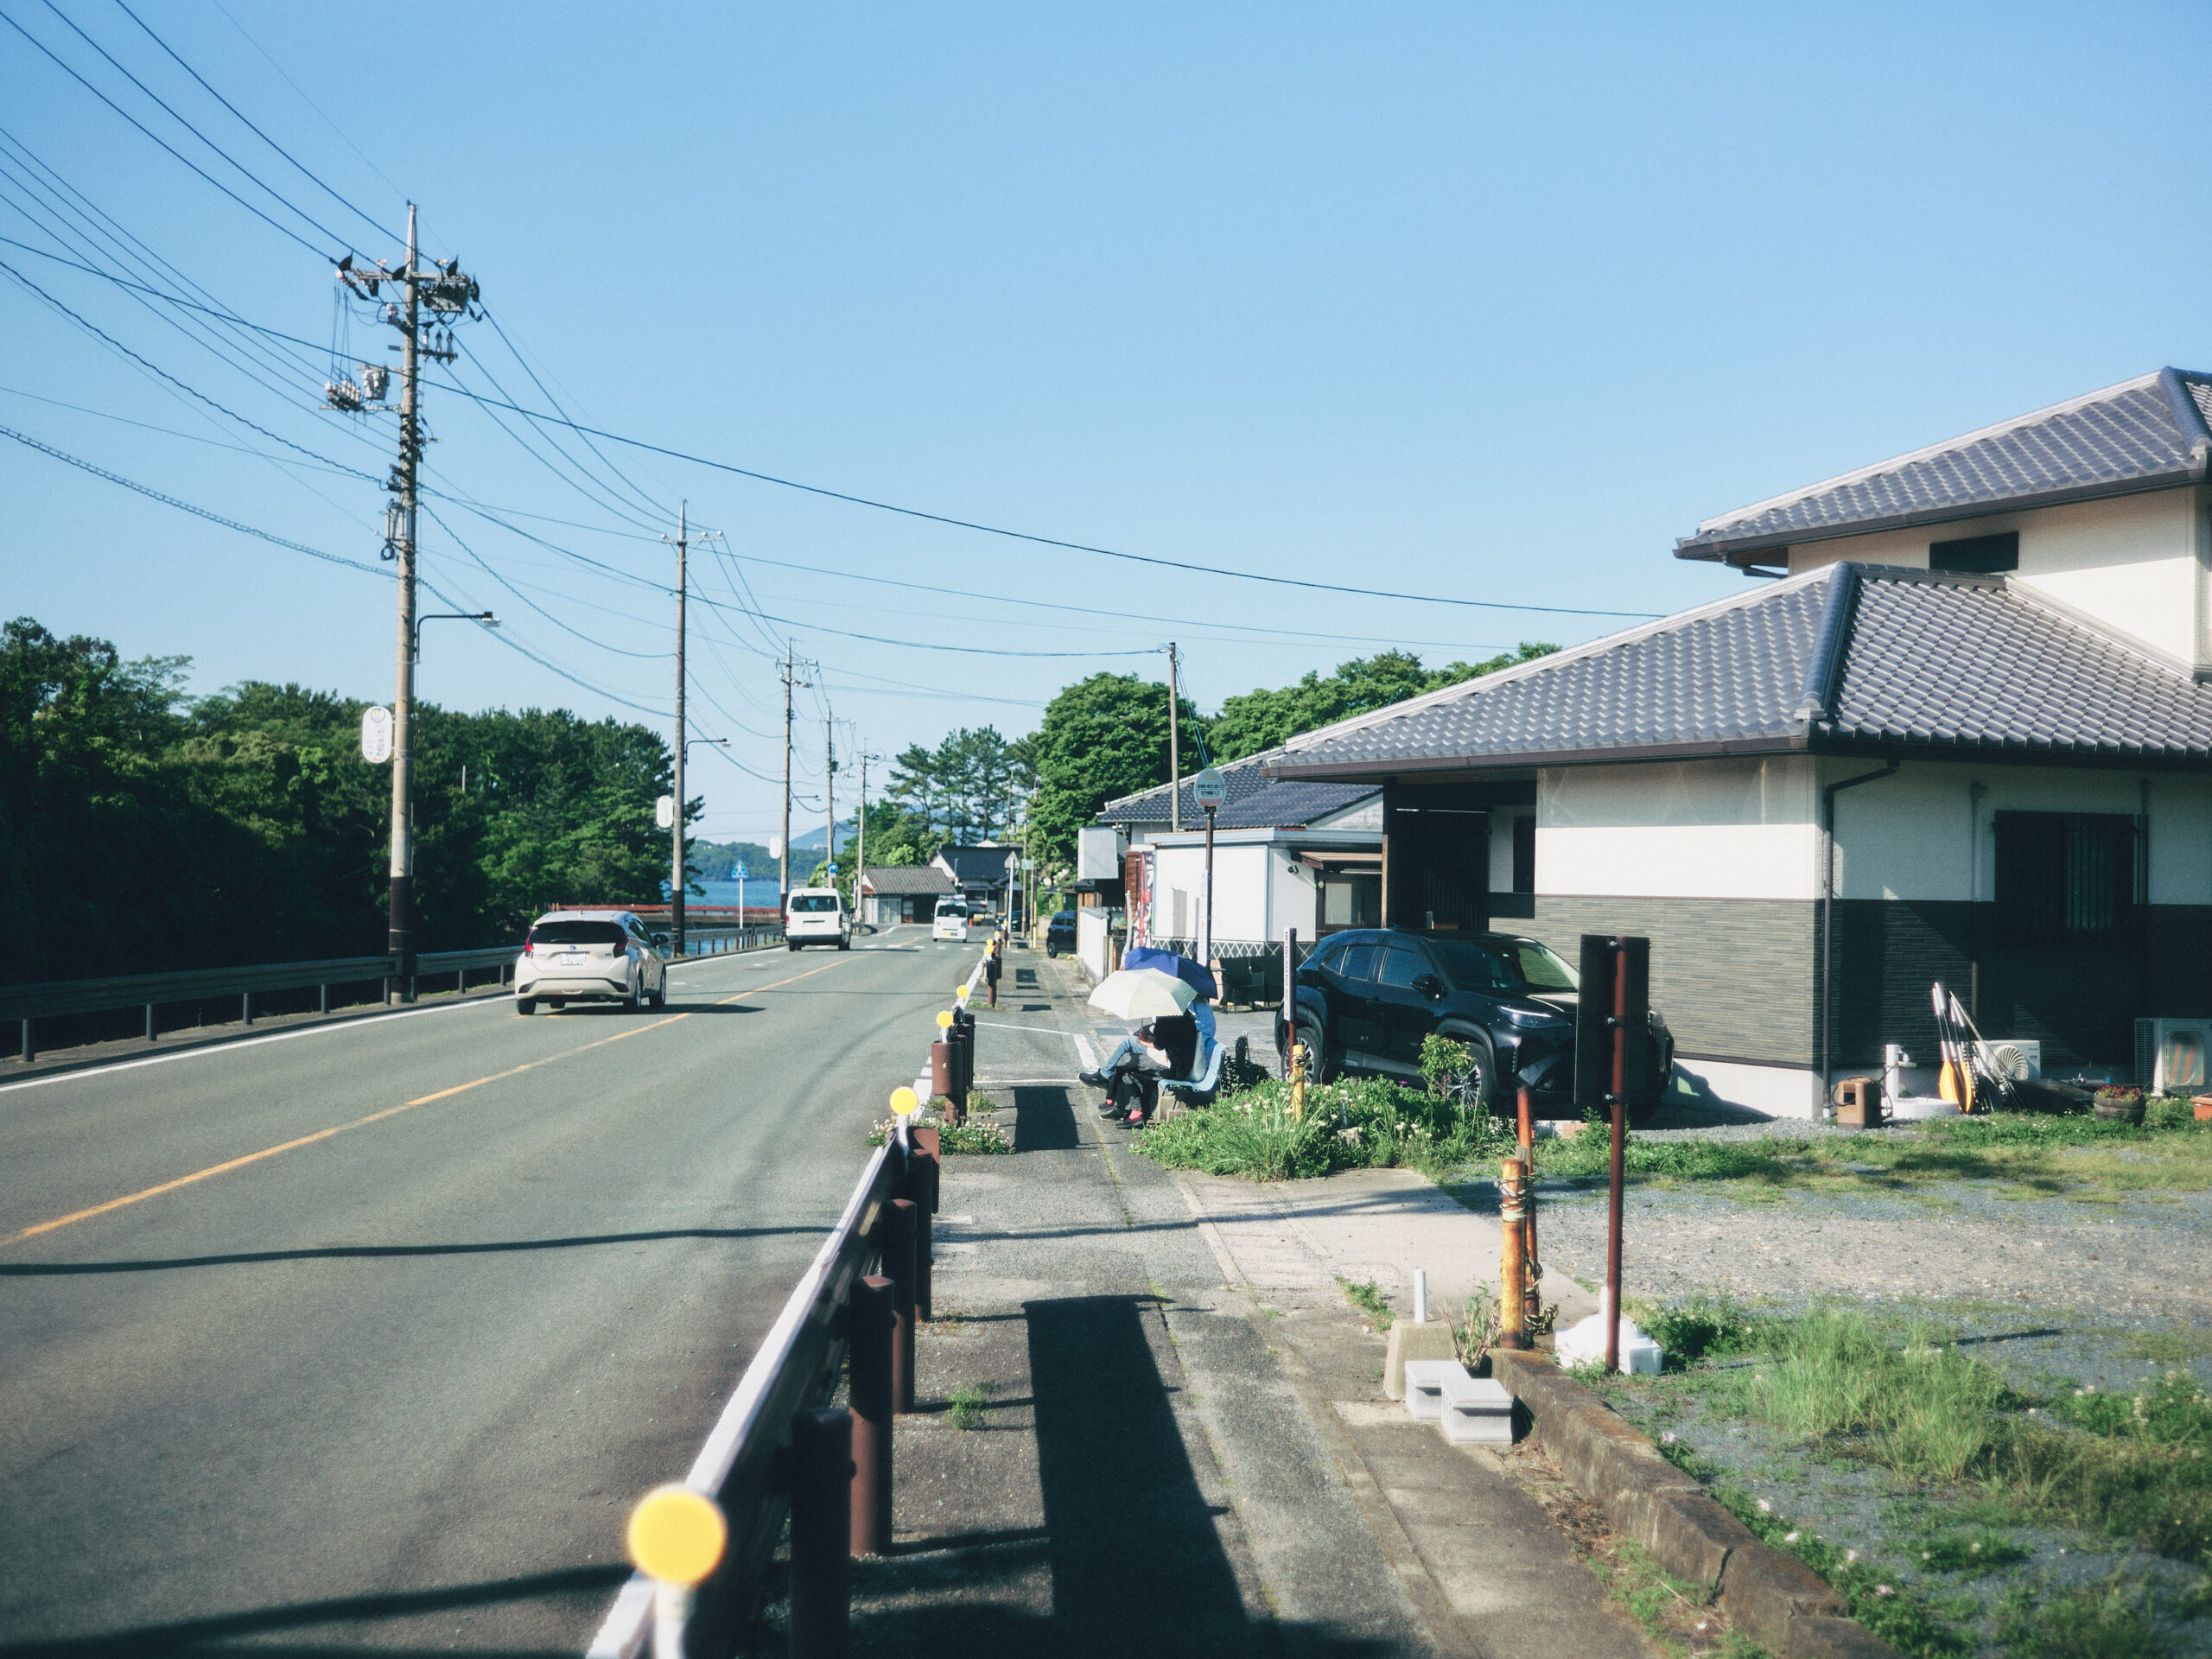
(1154, 1426)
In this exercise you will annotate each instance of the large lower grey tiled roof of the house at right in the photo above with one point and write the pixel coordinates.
(1846, 656)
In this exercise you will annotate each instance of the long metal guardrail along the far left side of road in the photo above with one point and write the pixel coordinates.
(152, 992)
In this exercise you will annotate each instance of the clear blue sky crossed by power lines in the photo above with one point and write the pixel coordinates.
(1474, 302)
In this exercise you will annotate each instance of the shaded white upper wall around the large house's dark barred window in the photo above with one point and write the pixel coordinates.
(1930, 833)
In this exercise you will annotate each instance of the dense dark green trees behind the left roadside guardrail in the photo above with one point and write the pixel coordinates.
(145, 831)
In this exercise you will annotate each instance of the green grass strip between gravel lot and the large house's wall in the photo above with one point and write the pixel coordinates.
(2025, 1154)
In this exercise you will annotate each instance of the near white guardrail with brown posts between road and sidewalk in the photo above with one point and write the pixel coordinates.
(742, 1465)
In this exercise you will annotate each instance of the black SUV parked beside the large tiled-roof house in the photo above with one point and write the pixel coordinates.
(1368, 997)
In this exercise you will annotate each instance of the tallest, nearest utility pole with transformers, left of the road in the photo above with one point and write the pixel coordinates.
(446, 293)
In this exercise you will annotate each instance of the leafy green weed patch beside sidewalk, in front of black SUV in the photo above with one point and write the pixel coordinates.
(1357, 1123)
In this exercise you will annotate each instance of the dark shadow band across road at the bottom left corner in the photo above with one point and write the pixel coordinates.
(205, 1636)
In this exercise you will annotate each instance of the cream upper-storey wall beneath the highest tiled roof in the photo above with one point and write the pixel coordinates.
(2133, 561)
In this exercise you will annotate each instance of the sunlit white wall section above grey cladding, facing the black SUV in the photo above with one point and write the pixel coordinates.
(1680, 831)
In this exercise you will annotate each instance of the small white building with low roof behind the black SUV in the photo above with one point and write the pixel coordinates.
(1286, 855)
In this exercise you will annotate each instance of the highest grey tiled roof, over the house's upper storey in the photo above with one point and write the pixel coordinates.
(2145, 435)
